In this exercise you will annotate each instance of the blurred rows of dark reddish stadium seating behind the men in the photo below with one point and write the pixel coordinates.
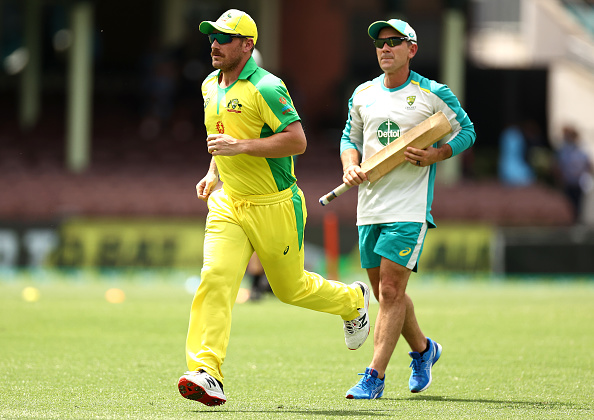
(131, 175)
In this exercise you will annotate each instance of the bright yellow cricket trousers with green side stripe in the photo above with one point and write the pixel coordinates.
(236, 226)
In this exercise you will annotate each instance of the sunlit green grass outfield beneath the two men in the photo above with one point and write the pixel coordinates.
(511, 350)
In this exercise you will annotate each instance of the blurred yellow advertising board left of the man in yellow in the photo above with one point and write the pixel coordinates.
(129, 243)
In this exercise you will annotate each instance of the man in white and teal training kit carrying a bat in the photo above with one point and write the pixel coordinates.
(394, 213)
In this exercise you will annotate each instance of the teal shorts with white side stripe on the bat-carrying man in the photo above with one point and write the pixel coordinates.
(401, 242)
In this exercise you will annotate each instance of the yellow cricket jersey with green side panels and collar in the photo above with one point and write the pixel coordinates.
(257, 105)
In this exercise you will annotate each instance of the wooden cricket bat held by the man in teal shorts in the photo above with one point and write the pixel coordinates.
(421, 136)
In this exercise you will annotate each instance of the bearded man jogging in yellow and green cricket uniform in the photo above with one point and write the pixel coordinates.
(253, 133)
